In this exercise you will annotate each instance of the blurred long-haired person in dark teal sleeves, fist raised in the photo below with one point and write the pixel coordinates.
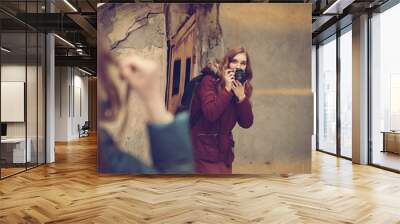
(170, 145)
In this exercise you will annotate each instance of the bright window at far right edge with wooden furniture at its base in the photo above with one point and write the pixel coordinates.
(385, 89)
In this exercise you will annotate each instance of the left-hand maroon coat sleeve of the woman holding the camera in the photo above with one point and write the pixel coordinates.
(213, 102)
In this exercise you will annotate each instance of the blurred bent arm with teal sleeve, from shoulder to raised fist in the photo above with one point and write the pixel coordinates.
(170, 144)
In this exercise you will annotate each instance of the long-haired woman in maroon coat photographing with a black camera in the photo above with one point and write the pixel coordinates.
(221, 102)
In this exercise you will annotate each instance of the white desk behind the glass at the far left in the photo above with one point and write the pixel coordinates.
(16, 148)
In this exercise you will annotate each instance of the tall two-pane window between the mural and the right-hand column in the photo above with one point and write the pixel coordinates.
(334, 94)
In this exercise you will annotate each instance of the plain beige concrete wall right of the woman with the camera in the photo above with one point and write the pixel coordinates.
(278, 38)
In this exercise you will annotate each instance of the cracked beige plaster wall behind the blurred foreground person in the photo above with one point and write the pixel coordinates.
(138, 29)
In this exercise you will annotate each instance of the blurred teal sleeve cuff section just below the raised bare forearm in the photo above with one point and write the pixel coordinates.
(170, 145)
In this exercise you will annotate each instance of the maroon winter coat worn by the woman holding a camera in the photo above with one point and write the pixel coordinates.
(212, 134)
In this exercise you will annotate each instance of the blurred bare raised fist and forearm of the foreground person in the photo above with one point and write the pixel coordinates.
(144, 77)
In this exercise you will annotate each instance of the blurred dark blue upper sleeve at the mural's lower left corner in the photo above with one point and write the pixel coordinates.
(113, 160)
